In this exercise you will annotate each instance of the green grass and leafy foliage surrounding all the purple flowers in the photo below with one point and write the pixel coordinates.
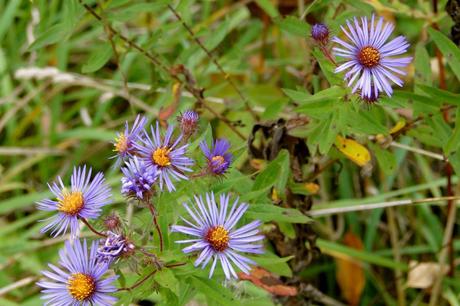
(385, 230)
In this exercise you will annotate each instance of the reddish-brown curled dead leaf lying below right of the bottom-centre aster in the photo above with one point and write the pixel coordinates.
(267, 281)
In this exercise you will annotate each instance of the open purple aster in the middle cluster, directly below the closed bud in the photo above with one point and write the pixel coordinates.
(164, 155)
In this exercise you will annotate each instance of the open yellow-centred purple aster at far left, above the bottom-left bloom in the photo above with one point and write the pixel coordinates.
(84, 199)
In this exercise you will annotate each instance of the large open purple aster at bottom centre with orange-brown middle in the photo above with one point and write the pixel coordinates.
(215, 236)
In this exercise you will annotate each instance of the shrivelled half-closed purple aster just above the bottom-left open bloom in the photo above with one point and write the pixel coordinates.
(113, 247)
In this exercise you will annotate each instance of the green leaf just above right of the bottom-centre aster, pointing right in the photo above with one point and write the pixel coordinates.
(269, 212)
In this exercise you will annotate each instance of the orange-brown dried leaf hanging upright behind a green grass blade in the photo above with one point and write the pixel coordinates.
(350, 274)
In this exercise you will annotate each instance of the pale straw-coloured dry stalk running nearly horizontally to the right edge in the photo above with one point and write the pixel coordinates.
(371, 206)
